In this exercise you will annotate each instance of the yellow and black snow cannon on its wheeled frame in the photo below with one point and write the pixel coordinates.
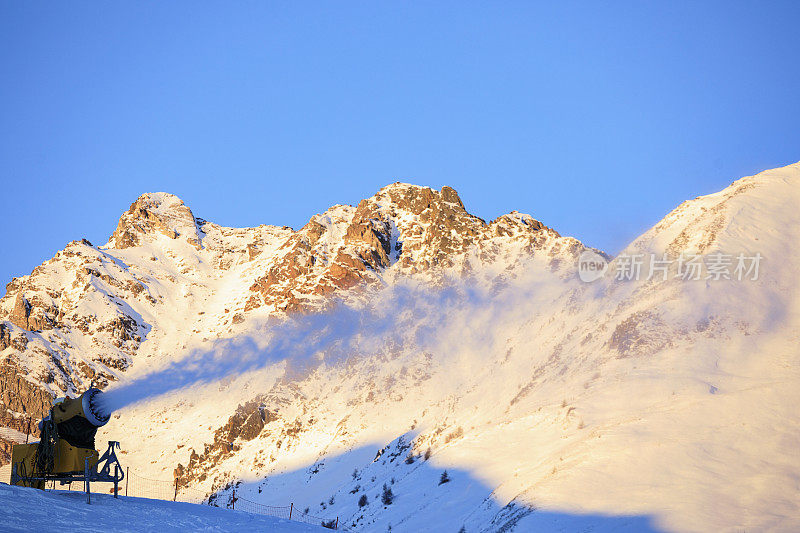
(66, 448)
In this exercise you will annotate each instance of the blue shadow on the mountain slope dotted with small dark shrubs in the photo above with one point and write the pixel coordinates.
(350, 486)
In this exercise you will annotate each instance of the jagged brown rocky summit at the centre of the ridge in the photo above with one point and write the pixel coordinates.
(414, 230)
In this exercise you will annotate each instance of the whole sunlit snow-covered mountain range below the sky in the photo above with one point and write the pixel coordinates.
(423, 339)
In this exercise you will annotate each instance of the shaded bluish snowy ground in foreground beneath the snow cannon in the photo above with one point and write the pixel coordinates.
(23, 509)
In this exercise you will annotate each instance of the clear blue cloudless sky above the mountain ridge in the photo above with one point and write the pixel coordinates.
(597, 118)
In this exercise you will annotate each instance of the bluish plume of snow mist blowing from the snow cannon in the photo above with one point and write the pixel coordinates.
(407, 314)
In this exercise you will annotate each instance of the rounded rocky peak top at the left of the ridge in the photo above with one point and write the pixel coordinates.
(156, 213)
